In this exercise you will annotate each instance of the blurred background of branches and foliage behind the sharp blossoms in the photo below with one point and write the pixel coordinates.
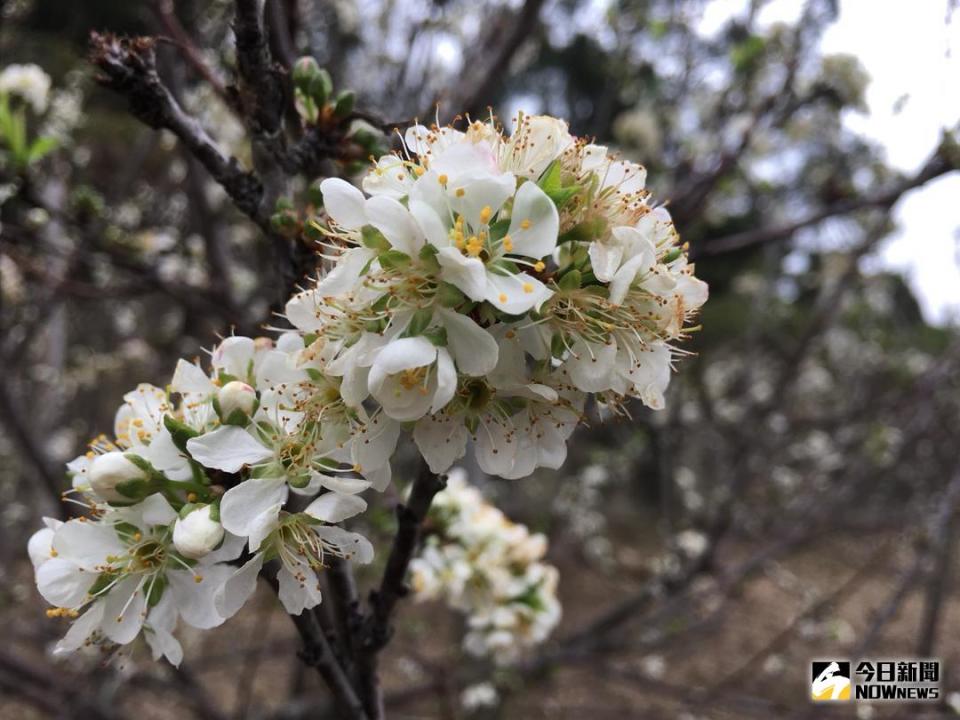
(813, 422)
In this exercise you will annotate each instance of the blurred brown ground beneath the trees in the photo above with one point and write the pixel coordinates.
(738, 654)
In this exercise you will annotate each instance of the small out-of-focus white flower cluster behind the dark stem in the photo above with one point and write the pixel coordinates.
(489, 568)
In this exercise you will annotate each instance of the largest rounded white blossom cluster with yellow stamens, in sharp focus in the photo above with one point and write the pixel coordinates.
(485, 284)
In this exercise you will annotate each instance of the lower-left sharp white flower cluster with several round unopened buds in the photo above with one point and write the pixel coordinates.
(169, 510)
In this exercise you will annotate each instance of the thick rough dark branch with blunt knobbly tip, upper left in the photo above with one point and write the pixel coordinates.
(128, 67)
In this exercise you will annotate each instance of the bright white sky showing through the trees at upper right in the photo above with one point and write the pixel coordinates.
(908, 50)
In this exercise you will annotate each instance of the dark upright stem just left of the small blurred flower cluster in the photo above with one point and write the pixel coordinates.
(376, 630)
